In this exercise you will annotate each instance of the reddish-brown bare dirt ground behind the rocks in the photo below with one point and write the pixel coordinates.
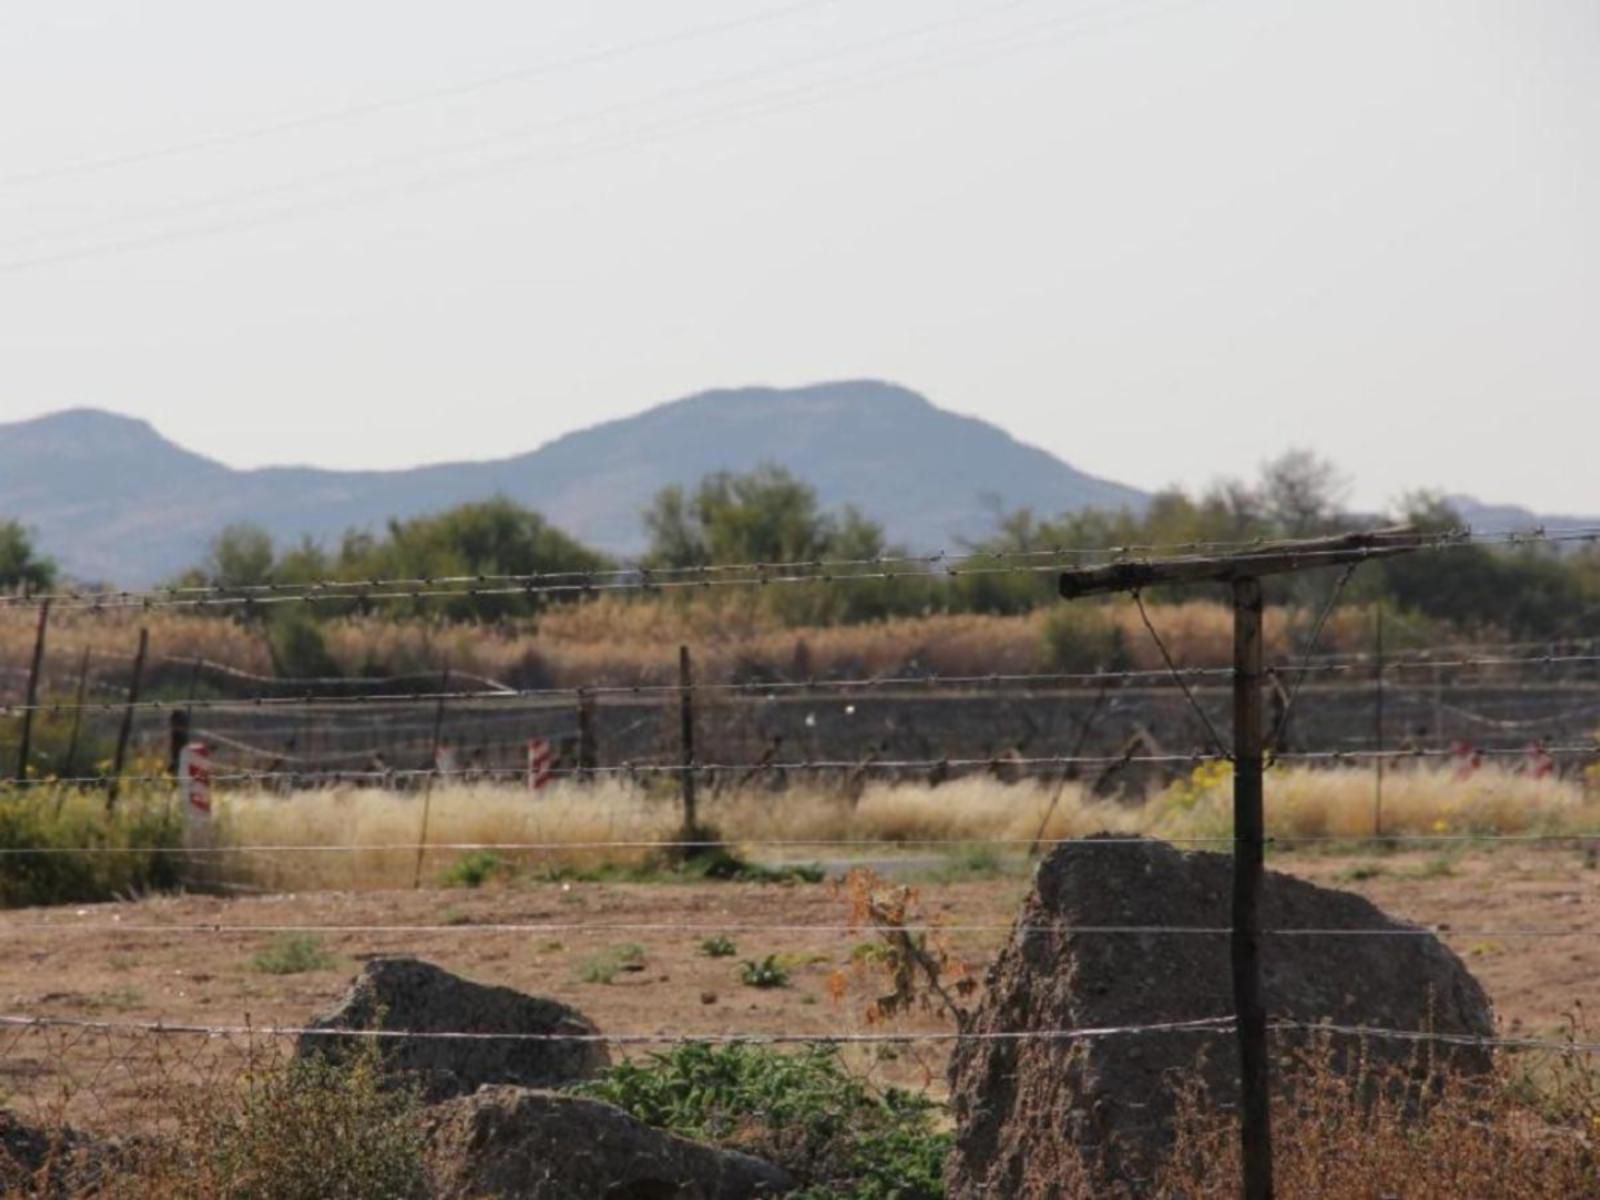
(190, 959)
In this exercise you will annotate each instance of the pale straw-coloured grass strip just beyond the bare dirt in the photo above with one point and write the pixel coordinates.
(588, 826)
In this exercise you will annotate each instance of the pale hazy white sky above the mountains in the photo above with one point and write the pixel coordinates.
(1162, 239)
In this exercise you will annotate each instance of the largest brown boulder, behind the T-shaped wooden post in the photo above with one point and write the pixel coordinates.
(1034, 1110)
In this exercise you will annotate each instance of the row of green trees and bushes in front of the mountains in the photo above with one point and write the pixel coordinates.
(769, 516)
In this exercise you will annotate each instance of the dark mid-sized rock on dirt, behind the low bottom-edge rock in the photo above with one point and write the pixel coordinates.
(407, 994)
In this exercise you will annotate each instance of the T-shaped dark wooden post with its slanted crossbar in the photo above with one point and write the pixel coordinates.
(1244, 574)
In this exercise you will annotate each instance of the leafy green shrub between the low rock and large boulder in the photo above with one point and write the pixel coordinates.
(804, 1111)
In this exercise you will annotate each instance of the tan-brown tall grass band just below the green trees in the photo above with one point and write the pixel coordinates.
(631, 641)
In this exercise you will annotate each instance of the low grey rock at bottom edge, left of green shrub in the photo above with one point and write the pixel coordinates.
(527, 1145)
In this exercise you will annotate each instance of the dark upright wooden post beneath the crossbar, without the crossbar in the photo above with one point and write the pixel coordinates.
(1249, 863)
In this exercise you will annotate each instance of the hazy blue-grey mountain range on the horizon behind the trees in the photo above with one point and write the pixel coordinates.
(113, 500)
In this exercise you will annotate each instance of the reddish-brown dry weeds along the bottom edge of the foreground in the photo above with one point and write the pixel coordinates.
(239, 1121)
